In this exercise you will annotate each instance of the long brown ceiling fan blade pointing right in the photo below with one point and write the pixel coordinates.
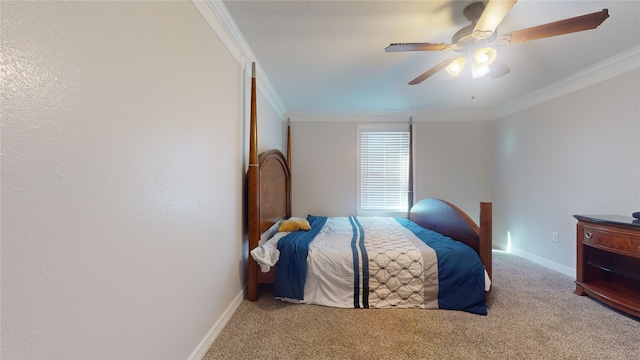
(566, 26)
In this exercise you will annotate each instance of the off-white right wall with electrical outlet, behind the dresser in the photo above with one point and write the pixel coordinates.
(576, 154)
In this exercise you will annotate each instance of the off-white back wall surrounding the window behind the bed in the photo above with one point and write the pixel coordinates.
(453, 161)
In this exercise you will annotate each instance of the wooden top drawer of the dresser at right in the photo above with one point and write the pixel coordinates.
(622, 242)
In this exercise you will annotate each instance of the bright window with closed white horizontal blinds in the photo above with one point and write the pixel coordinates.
(383, 176)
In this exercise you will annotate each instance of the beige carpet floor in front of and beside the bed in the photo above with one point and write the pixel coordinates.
(533, 314)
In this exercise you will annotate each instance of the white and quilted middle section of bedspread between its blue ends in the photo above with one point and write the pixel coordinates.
(402, 269)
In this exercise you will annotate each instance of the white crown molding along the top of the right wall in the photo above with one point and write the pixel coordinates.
(604, 70)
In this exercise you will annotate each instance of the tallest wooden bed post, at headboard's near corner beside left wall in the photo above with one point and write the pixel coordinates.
(253, 193)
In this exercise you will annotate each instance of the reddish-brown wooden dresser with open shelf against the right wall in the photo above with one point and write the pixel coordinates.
(608, 260)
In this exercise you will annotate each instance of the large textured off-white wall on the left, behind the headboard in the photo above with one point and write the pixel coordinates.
(122, 180)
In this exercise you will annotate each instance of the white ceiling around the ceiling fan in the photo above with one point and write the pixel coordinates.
(328, 56)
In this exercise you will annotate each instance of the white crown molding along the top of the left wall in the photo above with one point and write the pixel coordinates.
(218, 17)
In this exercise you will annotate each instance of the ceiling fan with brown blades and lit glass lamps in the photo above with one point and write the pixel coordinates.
(476, 41)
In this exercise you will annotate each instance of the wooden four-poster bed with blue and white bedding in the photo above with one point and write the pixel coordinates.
(438, 256)
